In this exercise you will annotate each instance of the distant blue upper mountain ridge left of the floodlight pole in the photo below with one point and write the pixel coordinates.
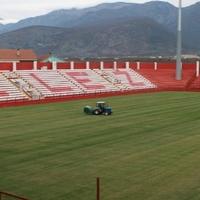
(162, 12)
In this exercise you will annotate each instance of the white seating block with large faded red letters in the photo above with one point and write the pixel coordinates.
(47, 83)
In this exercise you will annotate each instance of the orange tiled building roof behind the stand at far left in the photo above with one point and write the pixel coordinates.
(17, 55)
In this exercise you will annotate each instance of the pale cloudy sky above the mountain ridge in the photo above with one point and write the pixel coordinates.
(15, 10)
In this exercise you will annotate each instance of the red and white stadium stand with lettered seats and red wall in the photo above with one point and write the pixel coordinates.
(103, 78)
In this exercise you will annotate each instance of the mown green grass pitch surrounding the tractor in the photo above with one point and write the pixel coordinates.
(149, 149)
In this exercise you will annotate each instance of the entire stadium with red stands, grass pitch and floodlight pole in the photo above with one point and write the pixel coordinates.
(147, 148)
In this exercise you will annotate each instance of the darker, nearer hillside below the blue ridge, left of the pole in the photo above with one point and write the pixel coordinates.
(124, 38)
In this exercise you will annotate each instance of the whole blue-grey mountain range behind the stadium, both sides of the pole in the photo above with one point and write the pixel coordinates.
(109, 29)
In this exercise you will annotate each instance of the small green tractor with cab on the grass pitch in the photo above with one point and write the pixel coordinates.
(101, 109)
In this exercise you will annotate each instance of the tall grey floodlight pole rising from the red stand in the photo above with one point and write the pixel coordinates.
(179, 43)
